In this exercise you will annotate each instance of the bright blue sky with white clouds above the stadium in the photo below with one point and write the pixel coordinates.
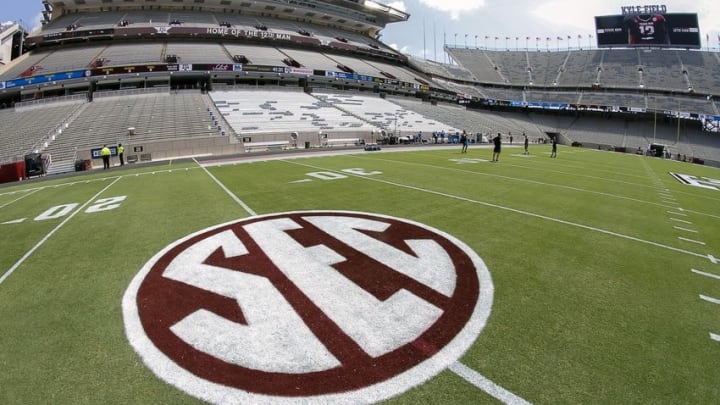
(468, 22)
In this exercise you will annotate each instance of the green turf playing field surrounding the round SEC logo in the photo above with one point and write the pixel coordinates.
(606, 286)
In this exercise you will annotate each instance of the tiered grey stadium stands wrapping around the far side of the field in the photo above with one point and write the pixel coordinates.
(268, 75)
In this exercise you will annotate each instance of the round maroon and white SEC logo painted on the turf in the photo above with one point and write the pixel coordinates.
(298, 307)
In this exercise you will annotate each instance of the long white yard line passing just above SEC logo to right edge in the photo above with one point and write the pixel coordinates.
(516, 211)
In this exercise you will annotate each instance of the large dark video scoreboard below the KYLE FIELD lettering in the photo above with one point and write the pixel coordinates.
(676, 30)
